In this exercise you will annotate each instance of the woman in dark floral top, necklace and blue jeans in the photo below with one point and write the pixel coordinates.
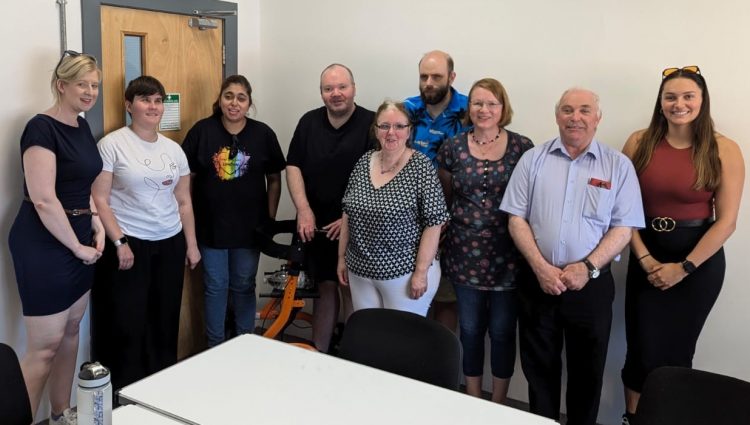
(479, 257)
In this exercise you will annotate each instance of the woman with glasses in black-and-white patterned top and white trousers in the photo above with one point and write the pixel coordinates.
(393, 211)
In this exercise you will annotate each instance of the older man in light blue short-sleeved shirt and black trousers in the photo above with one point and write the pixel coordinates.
(573, 203)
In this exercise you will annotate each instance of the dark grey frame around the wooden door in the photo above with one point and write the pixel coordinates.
(92, 36)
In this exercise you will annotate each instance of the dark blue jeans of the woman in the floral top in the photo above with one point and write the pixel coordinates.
(478, 312)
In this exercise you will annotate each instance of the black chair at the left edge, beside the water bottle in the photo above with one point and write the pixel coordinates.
(15, 408)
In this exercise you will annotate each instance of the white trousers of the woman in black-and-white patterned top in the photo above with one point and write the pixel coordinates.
(393, 293)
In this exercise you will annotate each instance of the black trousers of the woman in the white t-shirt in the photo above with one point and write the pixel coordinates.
(135, 313)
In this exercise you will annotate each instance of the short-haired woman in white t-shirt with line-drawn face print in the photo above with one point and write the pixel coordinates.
(143, 199)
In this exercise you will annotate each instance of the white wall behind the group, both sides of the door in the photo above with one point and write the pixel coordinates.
(536, 48)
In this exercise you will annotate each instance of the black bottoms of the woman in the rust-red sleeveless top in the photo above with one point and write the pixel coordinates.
(662, 327)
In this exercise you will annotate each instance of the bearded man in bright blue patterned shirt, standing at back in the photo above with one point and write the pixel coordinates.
(437, 114)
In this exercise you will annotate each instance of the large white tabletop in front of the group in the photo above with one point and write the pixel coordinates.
(251, 379)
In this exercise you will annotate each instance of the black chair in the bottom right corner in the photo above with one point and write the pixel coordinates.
(684, 396)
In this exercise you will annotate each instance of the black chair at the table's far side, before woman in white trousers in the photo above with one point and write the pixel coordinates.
(403, 343)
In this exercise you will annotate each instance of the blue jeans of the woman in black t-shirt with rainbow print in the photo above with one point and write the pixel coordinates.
(227, 270)
